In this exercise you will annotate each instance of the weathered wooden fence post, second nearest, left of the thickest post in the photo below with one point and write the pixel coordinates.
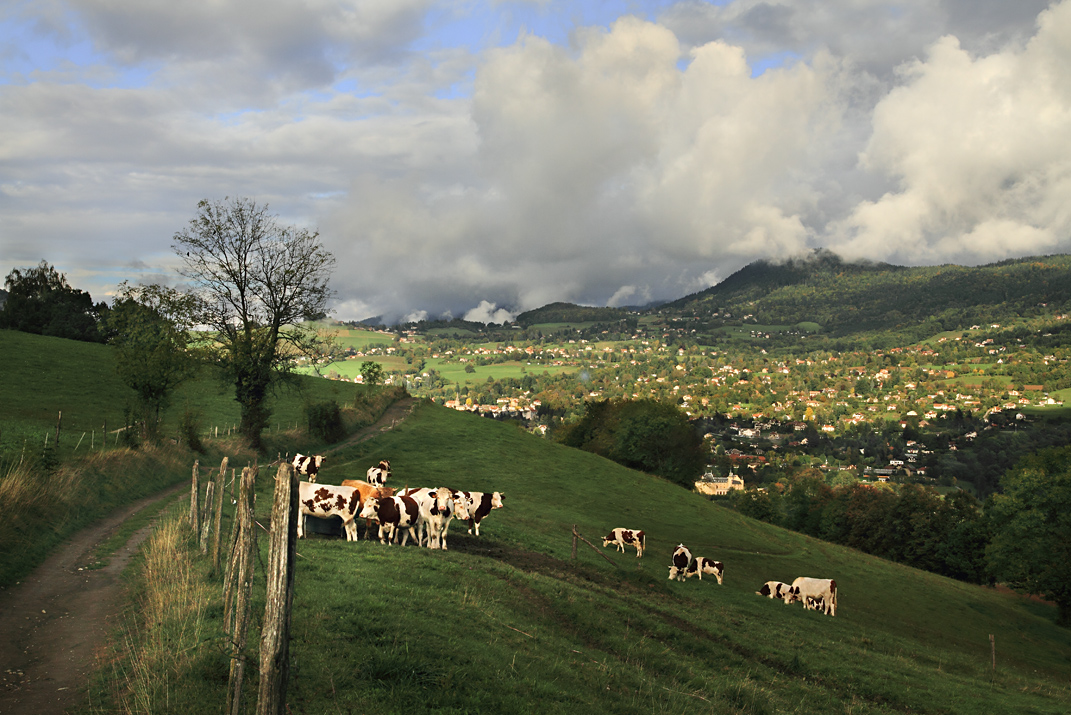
(246, 547)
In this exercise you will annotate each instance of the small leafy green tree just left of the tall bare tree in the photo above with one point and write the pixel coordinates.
(153, 333)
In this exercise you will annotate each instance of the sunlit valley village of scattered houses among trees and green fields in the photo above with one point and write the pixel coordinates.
(906, 414)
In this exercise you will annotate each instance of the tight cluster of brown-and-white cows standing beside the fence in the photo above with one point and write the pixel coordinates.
(423, 513)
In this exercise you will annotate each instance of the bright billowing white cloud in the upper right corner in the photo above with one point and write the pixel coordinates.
(981, 149)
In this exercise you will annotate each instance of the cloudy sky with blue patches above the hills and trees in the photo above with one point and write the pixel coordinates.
(482, 158)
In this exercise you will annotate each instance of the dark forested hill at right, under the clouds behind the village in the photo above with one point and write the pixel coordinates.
(853, 298)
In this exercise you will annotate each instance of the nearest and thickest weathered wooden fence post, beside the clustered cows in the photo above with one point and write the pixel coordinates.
(276, 633)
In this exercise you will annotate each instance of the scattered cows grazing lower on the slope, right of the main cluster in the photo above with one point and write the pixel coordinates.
(814, 594)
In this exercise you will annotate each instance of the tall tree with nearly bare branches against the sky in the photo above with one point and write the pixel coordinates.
(259, 281)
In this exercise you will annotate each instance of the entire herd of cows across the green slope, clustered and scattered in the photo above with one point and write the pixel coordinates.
(426, 515)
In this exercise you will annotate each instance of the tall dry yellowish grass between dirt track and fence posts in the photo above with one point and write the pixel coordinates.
(169, 632)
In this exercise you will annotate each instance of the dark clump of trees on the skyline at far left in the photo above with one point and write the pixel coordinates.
(41, 301)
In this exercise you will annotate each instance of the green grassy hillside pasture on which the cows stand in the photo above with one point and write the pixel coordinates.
(509, 623)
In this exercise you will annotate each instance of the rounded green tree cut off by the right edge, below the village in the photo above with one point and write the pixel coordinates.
(1031, 550)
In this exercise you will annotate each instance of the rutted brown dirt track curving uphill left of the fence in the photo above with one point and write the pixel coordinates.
(54, 622)
